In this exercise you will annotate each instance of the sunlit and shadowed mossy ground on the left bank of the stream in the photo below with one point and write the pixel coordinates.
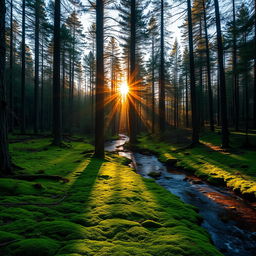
(74, 204)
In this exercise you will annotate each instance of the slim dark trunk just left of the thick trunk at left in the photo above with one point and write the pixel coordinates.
(36, 78)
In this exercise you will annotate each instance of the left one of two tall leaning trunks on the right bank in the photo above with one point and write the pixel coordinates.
(195, 134)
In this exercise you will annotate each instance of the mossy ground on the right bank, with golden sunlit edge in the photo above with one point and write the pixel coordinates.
(234, 168)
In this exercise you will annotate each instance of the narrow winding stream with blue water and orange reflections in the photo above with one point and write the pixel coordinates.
(230, 220)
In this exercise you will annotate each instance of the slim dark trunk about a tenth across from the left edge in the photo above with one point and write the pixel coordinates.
(23, 67)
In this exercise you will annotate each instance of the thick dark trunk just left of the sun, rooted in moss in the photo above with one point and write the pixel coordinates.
(99, 101)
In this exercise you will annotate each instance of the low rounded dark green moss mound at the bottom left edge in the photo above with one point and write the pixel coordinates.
(34, 247)
